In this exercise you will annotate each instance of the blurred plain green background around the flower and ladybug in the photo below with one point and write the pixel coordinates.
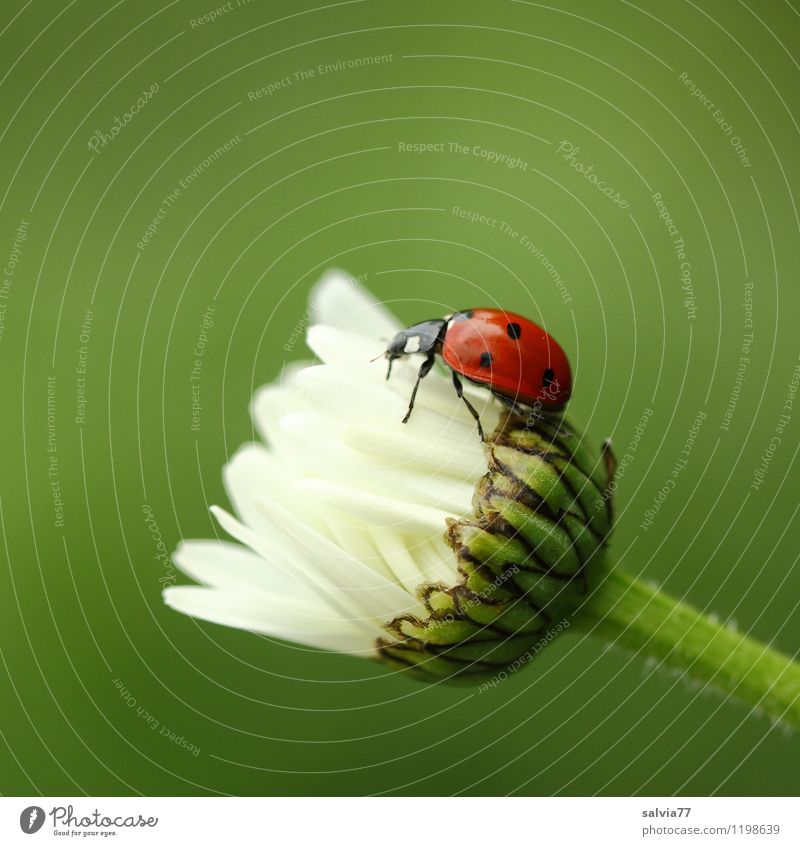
(318, 179)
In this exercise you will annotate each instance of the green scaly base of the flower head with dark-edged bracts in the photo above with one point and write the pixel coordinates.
(542, 516)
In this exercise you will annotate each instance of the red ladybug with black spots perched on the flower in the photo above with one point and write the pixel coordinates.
(508, 354)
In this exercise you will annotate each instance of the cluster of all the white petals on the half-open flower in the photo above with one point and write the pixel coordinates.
(342, 509)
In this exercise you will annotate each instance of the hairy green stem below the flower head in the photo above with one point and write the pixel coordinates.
(631, 613)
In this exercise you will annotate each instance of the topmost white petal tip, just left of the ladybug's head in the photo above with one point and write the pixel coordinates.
(339, 300)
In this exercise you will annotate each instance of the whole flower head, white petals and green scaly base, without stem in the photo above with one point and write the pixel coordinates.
(363, 535)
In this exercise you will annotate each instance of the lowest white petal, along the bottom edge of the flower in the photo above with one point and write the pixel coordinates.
(274, 616)
